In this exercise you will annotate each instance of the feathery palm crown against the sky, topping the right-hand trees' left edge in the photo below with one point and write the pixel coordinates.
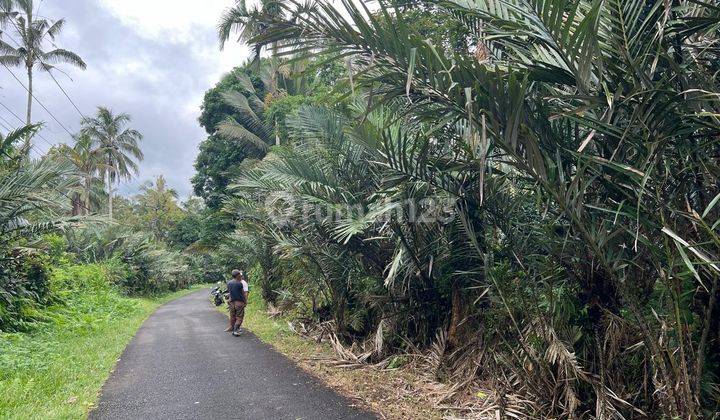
(248, 23)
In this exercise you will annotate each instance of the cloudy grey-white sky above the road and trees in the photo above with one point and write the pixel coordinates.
(153, 59)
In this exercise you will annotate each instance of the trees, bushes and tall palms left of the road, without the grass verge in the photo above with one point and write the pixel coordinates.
(58, 210)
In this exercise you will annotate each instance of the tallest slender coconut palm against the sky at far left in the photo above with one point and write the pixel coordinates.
(33, 34)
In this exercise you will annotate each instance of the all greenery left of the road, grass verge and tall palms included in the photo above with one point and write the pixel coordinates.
(80, 266)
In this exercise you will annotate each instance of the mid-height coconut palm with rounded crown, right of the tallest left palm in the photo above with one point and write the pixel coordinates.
(117, 146)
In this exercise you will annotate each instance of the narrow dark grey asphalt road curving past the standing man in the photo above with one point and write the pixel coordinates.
(181, 365)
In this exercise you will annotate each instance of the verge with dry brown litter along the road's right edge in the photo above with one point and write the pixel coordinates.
(388, 393)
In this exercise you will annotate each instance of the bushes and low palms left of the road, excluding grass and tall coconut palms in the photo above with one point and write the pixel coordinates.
(53, 216)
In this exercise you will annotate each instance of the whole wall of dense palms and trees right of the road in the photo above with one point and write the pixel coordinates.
(529, 188)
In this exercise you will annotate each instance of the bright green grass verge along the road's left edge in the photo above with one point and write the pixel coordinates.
(57, 371)
